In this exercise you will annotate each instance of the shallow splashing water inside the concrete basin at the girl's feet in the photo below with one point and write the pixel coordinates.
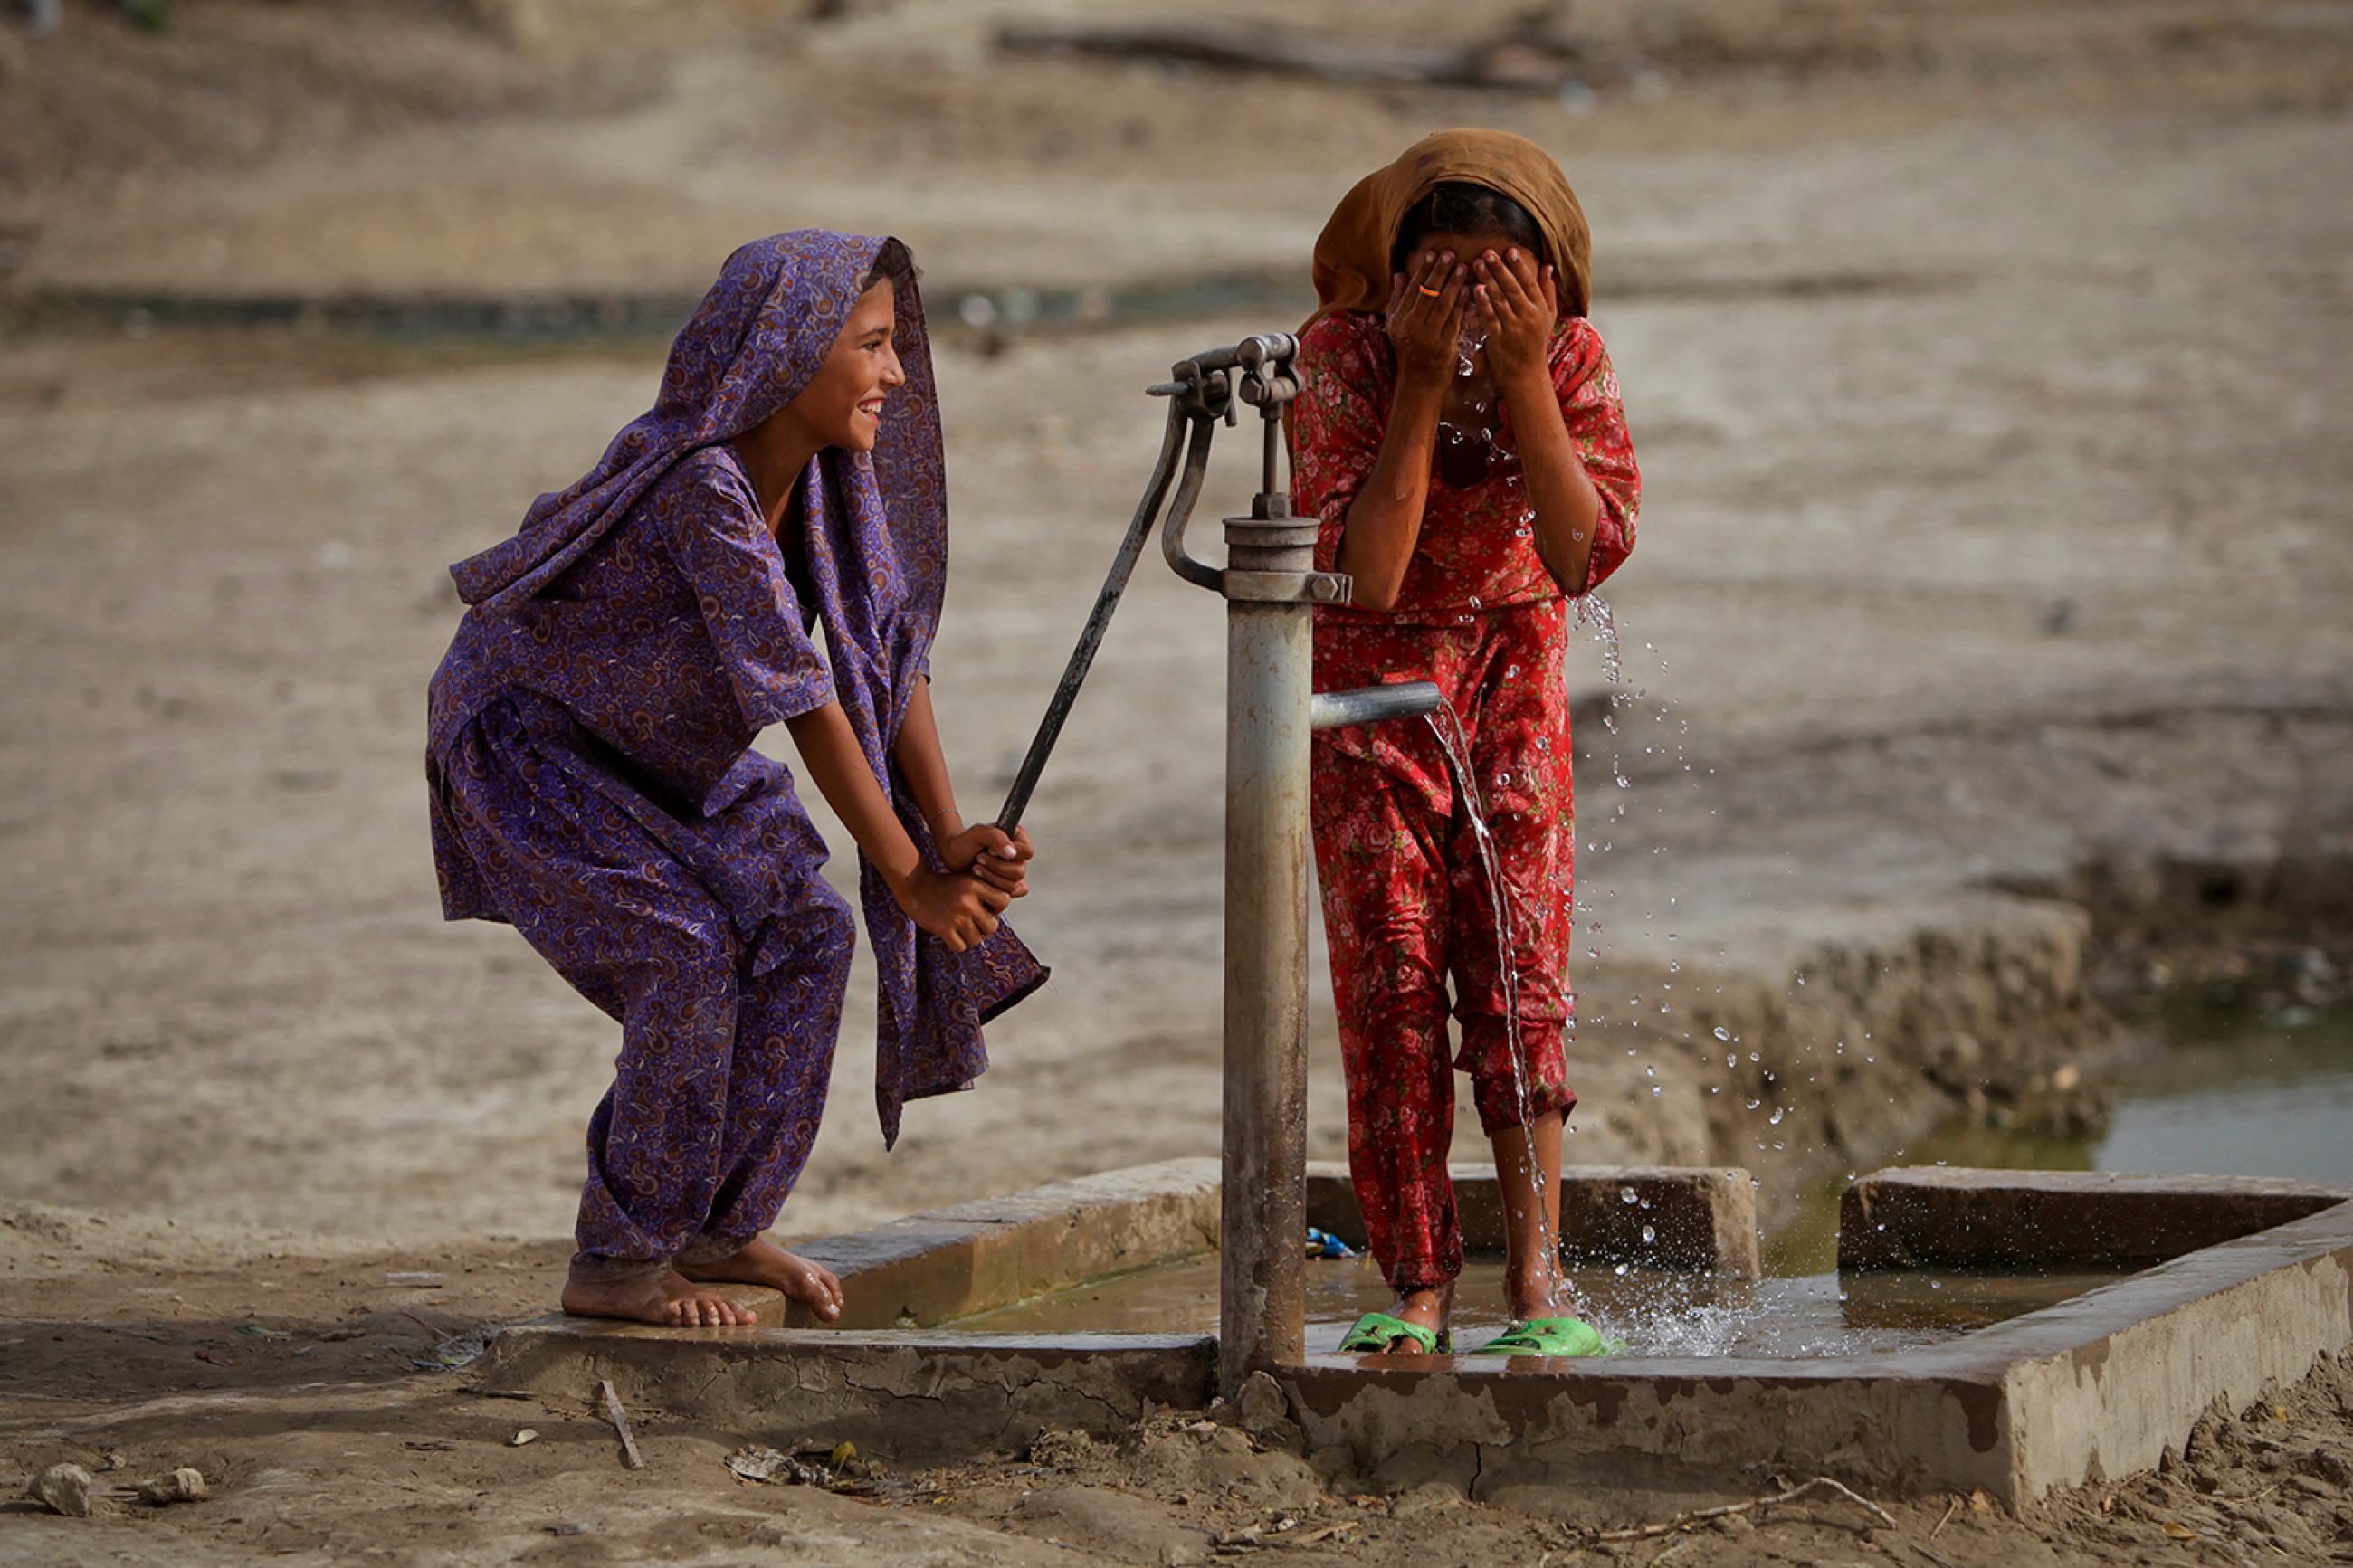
(1655, 1313)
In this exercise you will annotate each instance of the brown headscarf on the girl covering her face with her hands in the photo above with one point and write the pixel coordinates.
(1352, 253)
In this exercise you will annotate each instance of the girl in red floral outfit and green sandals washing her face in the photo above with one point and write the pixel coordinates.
(1460, 438)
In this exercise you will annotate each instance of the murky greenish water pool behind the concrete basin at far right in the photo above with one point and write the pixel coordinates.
(2237, 1092)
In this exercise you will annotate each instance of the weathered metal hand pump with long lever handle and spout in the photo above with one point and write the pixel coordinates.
(1272, 591)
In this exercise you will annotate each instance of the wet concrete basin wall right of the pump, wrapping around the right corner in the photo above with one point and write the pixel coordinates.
(2100, 1386)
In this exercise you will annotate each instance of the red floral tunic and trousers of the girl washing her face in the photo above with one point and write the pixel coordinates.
(1406, 902)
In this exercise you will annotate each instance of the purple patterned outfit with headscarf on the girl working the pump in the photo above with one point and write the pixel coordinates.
(594, 779)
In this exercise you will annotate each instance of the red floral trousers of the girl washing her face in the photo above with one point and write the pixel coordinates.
(1408, 911)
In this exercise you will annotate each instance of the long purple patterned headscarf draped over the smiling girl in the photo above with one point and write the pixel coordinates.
(876, 554)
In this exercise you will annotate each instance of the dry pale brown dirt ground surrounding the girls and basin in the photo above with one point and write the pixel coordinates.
(1989, 370)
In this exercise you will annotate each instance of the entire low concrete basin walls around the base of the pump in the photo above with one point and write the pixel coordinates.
(2100, 1386)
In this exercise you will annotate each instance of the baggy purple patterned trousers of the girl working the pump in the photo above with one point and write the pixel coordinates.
(712, 939)
